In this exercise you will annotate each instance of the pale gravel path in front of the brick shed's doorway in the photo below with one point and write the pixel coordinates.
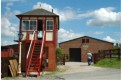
(72, 67)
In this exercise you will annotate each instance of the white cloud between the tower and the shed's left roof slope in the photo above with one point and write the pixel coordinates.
(65, 35)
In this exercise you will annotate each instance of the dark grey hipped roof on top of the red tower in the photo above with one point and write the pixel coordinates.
(37, 12)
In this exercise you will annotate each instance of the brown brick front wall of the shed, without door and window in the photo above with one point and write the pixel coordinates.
(94, 45)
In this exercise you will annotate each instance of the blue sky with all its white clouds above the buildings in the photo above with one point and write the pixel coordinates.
(99, 19)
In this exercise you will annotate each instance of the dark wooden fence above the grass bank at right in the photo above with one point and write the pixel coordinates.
(112, 53)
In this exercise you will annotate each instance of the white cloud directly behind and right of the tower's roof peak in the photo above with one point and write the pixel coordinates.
(66, 14)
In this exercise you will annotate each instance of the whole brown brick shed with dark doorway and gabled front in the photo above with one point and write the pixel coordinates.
(76, 49)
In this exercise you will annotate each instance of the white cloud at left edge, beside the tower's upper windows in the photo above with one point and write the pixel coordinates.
(7, 28)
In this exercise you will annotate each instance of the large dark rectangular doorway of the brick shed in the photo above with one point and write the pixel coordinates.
(75, 54)
